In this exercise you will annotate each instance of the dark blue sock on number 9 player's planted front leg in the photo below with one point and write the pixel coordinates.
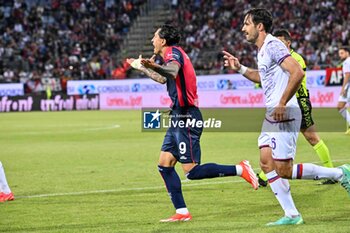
(173, 184)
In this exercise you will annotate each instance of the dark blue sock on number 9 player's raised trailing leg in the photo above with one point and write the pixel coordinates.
(211, 170)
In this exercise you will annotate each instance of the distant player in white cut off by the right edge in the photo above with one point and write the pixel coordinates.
(344, 98)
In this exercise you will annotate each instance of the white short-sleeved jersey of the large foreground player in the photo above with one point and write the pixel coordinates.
(273, 78)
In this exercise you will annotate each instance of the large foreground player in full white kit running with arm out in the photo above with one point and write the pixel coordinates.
(280, 76)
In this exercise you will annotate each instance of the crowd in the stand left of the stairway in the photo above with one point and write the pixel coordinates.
(75, 39)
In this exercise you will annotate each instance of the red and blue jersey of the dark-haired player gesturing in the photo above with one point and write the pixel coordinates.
(183, 89)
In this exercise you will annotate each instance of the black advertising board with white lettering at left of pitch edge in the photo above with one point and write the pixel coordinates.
(41, 103)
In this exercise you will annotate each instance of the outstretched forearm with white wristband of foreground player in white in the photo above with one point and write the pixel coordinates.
(232, 62)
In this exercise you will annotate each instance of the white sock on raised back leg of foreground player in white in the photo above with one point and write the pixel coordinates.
(311, 171)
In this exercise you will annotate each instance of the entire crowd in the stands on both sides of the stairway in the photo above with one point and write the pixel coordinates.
(78, 39)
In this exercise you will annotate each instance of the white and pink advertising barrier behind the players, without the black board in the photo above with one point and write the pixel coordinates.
(215, 91)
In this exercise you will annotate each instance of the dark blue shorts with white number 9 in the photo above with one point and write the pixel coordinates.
(183, 142)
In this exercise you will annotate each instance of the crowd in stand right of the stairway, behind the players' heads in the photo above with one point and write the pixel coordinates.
(318, 28)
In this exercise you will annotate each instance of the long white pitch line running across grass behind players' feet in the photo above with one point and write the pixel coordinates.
(185, 183)
